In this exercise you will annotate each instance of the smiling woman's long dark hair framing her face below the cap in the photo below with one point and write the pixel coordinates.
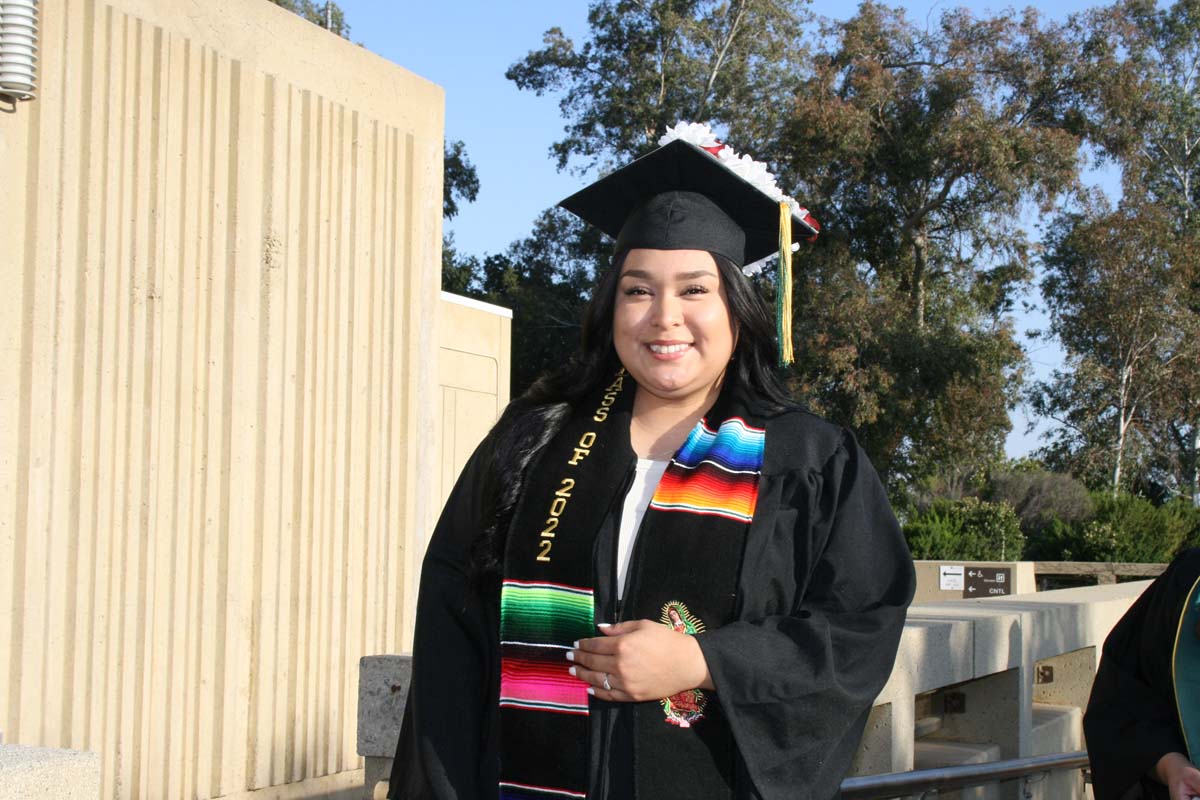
(754, 357)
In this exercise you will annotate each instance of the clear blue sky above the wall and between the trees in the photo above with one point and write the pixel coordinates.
(465, 46)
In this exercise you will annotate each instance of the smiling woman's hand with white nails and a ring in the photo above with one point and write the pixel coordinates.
(643, 661)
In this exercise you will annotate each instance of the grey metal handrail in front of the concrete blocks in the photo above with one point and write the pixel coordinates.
(895, 785)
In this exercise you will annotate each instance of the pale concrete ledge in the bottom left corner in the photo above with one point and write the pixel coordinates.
(28, 773)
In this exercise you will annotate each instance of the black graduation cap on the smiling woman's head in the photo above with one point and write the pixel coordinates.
(683, 197)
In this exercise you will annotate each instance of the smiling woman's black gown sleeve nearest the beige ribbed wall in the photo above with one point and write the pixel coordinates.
(445, 749)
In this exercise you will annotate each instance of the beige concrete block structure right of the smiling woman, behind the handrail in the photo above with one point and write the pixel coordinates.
(1009, 672)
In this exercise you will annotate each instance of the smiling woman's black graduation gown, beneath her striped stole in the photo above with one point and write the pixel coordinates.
(824, 588)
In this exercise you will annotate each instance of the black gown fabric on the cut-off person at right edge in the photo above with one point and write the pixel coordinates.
(1132, 720)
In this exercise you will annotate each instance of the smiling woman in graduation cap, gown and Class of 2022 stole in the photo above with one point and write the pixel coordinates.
(658, 578)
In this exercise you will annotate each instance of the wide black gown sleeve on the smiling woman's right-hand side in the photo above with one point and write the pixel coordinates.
(797, 687)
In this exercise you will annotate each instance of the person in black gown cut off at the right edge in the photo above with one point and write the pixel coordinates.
(1145, 708)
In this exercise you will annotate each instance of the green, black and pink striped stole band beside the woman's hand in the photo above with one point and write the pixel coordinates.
(539, 622)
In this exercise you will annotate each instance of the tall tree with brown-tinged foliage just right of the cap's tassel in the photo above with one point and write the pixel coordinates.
(917, 148)
